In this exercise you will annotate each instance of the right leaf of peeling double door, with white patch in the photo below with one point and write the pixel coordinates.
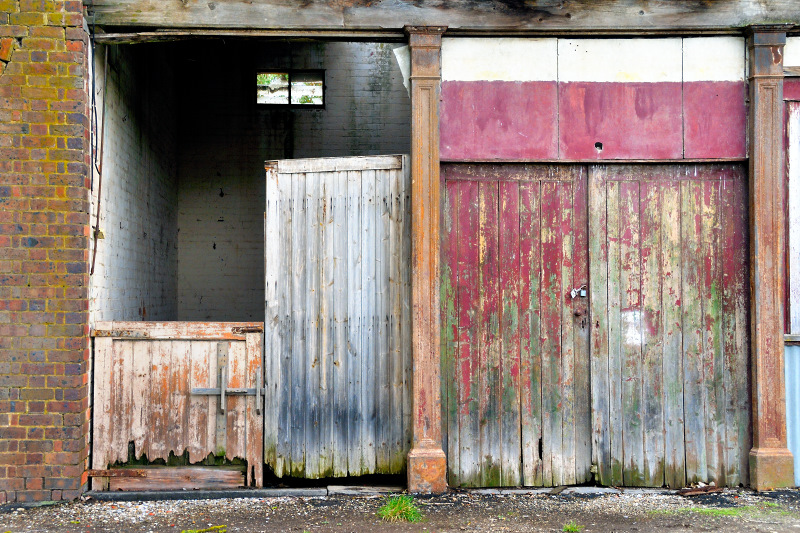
(669, 307)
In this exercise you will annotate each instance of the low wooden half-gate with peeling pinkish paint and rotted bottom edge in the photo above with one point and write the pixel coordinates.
(163, 389)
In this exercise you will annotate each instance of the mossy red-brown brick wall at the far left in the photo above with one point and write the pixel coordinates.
(44, 231)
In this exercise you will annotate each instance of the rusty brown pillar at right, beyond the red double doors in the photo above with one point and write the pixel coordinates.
(771, 463)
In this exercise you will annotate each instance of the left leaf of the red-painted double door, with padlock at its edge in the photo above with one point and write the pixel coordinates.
(515, 352)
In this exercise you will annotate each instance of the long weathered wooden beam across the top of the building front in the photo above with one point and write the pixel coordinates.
(536, 15)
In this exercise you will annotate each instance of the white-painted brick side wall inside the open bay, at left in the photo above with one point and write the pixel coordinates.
(135, 275)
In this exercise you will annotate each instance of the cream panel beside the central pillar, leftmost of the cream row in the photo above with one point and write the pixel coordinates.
(508, 59)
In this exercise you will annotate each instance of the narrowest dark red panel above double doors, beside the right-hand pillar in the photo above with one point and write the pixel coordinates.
(715, 119)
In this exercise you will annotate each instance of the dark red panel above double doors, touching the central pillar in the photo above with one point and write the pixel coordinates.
(498, 120)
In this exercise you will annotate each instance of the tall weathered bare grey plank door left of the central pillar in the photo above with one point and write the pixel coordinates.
(338, 317)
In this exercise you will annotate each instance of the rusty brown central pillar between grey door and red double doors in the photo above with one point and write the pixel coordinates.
(427, 465)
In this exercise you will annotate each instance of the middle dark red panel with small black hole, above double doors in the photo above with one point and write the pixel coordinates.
(631, 120)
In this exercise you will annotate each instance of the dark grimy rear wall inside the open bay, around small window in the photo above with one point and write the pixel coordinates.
(225, 139)
